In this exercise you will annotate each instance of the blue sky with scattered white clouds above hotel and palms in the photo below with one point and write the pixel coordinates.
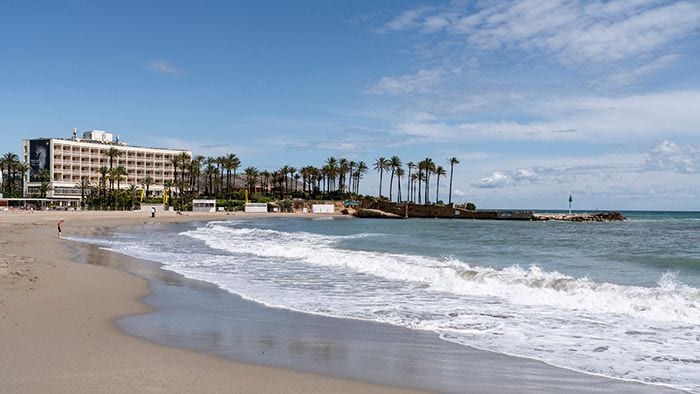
(537, 99)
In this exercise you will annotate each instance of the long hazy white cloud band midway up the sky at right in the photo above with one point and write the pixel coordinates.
(597, 119)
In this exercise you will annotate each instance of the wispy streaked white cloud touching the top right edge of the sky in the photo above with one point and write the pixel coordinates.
(573, 31)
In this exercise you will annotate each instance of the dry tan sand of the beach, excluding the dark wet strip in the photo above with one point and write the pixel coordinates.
(56, 322)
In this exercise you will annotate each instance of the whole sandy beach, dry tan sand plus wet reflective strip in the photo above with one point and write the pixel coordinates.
(67, 326)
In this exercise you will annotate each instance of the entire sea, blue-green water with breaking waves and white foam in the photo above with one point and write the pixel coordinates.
(620, 300)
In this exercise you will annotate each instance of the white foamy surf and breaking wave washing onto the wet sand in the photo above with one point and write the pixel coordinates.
(647, 334)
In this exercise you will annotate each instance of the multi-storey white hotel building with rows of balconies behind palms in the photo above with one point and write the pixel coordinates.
(70, 161)
